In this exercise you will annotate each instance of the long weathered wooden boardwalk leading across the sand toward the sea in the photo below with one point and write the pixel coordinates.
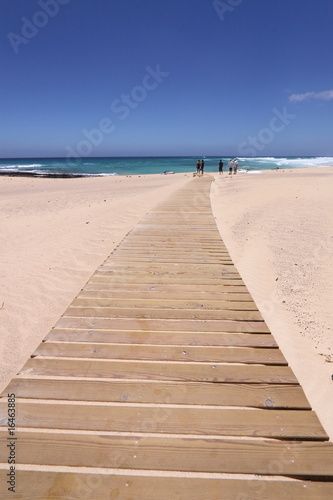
(162, 381)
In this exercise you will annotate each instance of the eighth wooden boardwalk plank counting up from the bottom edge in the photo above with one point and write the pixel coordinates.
(210, 326)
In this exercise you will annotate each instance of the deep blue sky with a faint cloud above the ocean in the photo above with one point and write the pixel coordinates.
(166, 77)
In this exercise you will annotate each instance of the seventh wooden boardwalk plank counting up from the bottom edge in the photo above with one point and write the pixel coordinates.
(162, 338)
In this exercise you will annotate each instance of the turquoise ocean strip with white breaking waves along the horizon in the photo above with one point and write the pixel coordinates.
(87, 167)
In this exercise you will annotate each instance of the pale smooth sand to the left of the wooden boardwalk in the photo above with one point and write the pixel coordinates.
(54, 234)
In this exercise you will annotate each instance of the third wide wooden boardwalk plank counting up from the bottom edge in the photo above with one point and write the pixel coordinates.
(269, 423)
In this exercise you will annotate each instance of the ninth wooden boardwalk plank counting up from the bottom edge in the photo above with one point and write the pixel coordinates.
(146, 313)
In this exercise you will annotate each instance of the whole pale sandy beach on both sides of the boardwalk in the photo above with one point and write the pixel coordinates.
(277, 226)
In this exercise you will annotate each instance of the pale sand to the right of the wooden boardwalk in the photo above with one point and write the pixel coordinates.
(278, 227)
